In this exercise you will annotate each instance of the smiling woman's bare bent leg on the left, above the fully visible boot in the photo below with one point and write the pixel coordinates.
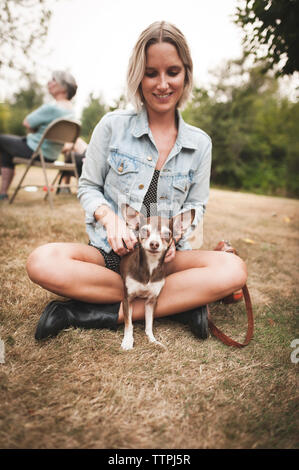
(76, 271)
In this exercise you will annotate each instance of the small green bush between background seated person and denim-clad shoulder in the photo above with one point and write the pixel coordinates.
(91, 115)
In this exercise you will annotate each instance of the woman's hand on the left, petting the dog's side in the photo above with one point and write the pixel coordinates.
(120, 237)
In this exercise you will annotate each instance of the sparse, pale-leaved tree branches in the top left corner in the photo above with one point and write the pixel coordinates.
(23, 25)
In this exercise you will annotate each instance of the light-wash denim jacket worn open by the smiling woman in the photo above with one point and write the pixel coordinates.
(120, 162)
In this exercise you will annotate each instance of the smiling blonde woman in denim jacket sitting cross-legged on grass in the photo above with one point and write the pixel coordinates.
(148, 157)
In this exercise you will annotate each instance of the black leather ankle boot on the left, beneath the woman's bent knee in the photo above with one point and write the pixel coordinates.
(60, 315)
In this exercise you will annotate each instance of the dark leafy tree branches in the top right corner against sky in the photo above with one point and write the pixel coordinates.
(272, 27)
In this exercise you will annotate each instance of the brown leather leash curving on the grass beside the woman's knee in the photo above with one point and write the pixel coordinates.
(225, 246)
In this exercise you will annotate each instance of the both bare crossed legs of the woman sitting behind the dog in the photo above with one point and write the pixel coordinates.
(193, 278)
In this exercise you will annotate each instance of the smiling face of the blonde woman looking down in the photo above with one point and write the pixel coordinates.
(164, 79)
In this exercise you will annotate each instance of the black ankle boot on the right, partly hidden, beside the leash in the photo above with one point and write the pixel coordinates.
(197, 319)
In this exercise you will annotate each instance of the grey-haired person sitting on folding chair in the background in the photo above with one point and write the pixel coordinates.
(62, 87)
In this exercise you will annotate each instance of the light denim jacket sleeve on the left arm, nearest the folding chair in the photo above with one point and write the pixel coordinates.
(95, 169)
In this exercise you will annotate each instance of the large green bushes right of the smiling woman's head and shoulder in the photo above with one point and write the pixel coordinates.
(254, 131)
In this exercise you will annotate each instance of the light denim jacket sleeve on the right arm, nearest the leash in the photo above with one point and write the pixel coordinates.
(199, 190)
